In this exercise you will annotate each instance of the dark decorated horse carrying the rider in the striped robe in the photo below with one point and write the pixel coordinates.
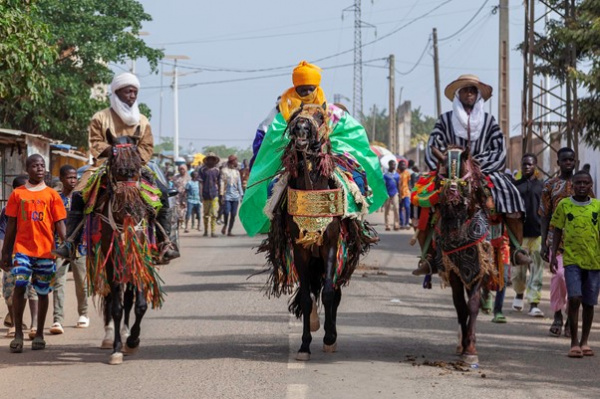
(463, 252)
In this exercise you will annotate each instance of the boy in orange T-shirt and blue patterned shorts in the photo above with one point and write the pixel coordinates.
(34, 212)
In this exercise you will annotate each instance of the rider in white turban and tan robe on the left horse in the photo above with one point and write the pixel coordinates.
(122, 118)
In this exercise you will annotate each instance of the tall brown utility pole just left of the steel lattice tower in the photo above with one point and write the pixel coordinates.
(503, 78)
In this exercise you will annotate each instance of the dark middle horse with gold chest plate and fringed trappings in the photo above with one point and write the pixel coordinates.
(313, 245)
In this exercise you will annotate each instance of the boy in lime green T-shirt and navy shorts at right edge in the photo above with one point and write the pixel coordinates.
(575, 221)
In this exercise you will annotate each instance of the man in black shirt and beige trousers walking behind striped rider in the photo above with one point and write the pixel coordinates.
(530, 188)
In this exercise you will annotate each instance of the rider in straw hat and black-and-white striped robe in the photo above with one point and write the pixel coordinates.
(467, 125)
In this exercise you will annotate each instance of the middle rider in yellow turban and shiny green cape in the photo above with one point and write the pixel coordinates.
(347, 136)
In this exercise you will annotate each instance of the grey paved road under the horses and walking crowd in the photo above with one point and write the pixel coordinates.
(217, 336)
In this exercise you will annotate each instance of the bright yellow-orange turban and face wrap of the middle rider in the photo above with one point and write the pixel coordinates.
(303, 74)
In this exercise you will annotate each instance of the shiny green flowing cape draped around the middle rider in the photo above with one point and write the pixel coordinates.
(347, 136)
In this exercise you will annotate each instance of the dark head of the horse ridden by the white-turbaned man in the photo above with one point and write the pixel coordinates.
(124, 160)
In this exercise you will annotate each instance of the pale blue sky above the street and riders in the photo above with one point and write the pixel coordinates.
(241, 56)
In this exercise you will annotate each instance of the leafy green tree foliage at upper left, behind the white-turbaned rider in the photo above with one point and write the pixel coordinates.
(86, 36)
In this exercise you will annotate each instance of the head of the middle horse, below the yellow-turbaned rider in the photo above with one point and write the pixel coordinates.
(308, 128)
